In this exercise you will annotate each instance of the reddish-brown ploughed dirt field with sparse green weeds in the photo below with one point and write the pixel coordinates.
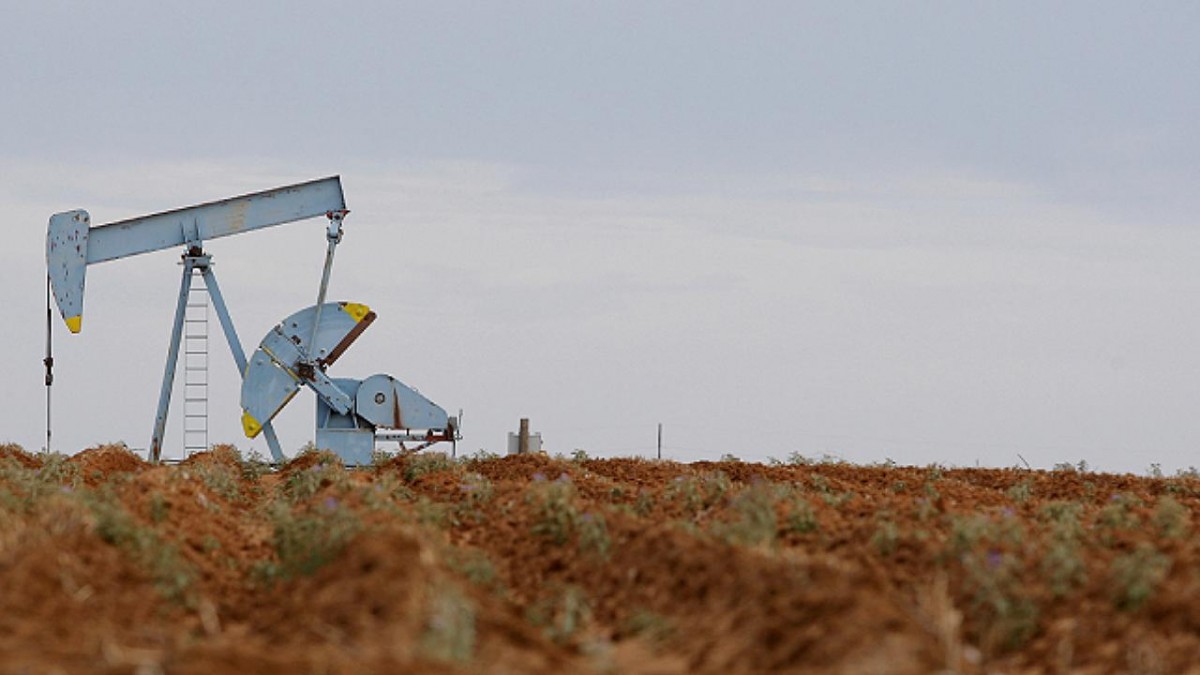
(539, 565)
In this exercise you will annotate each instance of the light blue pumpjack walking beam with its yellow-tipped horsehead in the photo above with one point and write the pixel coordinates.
(71, 244)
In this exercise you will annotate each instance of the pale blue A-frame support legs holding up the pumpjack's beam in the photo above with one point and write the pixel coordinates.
(197, 260)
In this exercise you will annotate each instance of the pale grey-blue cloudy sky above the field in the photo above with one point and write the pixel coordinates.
(928, 232)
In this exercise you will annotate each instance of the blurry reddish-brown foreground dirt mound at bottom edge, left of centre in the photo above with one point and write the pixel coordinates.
(391, 602)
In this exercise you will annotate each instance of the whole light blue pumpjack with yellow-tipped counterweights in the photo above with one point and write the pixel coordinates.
(352, 415)
